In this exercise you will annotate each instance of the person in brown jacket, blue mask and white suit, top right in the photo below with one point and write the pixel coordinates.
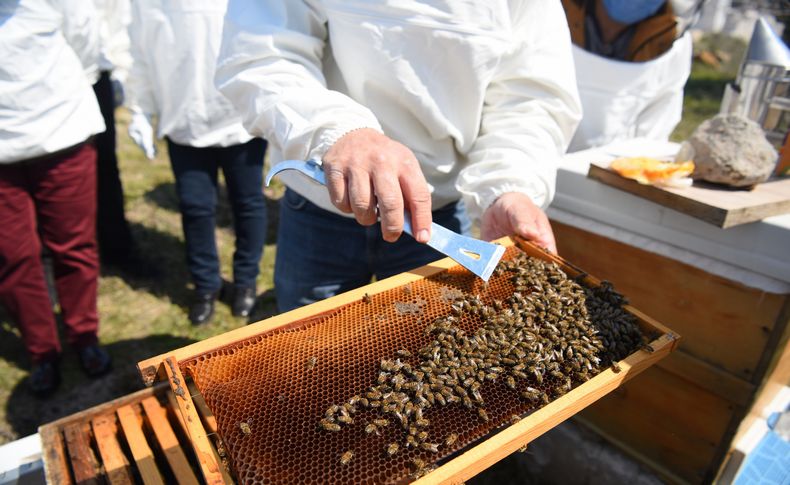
(632, 62)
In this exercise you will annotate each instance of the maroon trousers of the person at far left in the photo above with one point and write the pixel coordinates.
(51, 201)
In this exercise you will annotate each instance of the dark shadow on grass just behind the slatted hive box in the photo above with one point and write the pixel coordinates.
(25, 413)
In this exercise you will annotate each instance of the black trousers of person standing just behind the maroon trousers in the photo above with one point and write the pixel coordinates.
(112, 229)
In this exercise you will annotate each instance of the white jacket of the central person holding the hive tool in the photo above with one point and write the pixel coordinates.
(482, 92)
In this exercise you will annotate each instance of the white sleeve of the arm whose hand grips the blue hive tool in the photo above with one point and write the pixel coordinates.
(269, 67)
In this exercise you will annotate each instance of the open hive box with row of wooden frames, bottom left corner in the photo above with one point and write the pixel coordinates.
(118, 440)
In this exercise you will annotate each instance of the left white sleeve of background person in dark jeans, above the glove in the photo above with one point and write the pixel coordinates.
(139, 93)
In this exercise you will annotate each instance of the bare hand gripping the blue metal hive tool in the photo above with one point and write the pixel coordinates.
(365, 169)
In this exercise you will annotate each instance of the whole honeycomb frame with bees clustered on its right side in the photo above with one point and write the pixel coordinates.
(276, 387)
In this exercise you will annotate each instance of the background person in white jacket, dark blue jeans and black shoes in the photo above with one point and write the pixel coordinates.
(174, 46)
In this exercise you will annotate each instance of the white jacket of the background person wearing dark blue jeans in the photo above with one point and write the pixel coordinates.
(174, 45)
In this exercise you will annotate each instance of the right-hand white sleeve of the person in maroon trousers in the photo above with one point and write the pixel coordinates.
(81, 31)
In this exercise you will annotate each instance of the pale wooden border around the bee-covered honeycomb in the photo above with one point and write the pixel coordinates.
(477, 458)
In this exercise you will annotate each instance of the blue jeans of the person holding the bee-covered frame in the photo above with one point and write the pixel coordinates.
(322, 254)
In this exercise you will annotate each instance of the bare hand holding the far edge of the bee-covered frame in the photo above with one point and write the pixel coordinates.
(515, 213)
